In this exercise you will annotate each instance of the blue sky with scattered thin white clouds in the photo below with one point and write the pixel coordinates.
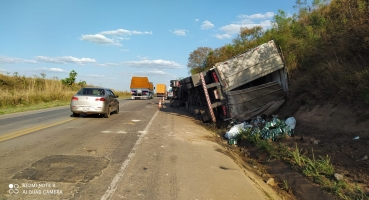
(108, 42)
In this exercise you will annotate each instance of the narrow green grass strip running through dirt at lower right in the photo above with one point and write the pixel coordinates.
(320, 170)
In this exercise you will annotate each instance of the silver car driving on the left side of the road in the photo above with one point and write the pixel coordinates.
(94, 101)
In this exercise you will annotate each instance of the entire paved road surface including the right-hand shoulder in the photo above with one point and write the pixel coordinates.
(140, 153)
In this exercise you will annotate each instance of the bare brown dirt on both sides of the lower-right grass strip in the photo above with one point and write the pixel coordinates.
(339, 132)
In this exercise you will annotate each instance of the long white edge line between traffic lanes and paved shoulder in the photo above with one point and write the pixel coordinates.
(114, 183)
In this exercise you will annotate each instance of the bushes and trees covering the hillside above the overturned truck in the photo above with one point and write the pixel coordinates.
(325, 46)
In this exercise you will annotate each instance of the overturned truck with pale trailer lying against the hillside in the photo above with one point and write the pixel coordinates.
(247, 85)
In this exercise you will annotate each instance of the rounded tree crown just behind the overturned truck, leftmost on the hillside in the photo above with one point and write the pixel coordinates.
(197, 59)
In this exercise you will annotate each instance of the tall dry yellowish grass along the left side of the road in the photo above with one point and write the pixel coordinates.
(20, 93)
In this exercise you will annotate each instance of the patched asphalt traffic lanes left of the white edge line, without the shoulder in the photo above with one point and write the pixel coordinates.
(65, 156)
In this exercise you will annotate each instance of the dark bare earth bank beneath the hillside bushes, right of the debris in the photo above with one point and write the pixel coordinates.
(342, 134)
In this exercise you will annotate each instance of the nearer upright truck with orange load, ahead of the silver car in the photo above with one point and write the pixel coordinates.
(141, 88)
